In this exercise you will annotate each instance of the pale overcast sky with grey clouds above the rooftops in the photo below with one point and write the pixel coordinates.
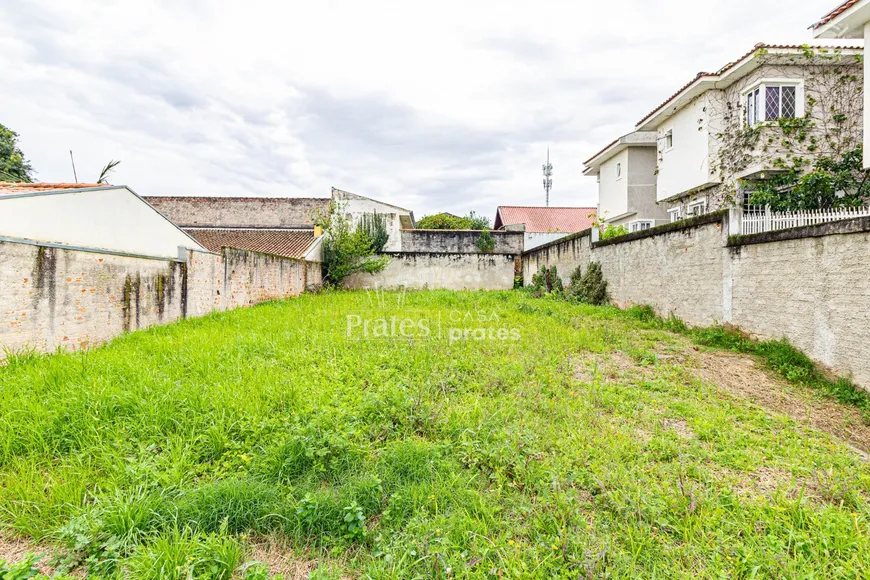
(434, 106)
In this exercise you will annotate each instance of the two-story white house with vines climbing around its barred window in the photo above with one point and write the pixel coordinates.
(761, 114)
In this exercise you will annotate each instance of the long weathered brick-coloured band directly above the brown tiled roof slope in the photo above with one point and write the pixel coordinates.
(241, 212)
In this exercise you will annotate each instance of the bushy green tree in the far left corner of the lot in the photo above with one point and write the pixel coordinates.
(348, 250)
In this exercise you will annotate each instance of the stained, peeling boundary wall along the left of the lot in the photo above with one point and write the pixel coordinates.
(56, 297)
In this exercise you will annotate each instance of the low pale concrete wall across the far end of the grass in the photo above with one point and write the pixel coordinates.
(433, 271)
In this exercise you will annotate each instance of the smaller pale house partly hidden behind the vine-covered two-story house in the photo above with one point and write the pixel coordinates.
(626, 173)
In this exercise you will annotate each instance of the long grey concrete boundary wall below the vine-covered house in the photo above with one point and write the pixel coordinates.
(808, 285)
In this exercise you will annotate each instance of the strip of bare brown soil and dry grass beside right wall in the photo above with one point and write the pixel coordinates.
(740, 375)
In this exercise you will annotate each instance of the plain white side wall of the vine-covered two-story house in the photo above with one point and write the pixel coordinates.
(686, 165)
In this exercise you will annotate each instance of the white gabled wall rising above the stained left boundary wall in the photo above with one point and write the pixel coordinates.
(108, 219)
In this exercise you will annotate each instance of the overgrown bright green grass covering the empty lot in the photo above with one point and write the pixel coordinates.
(523, 454)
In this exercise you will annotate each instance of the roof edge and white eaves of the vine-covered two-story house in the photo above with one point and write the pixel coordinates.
(729, 73)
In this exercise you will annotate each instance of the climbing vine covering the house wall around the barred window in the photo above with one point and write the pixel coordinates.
(807, 162)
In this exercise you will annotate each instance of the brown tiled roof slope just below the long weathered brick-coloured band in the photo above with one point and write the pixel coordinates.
(287, 243)
